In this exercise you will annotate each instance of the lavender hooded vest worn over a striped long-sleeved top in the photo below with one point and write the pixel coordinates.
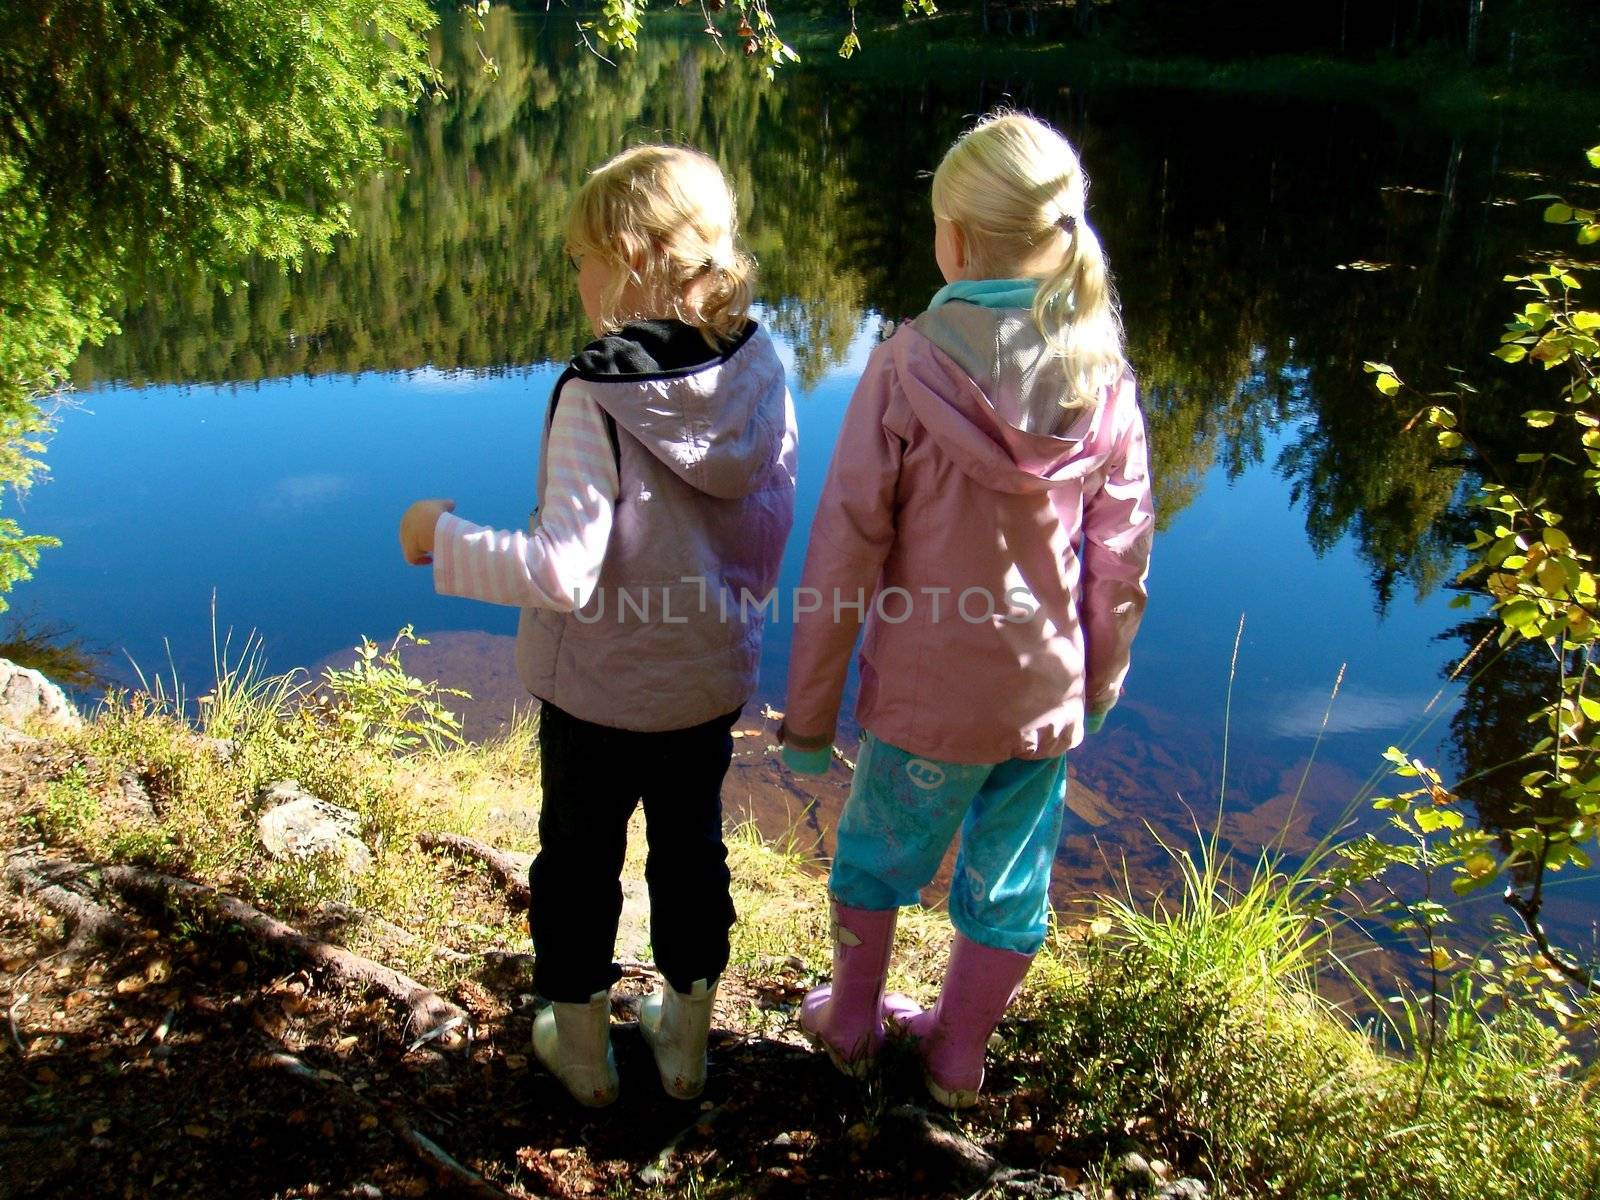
(706, 463)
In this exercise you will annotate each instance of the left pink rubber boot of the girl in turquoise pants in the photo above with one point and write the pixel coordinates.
(846, 1018)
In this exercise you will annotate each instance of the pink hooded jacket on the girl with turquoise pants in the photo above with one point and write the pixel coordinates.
(999, 572)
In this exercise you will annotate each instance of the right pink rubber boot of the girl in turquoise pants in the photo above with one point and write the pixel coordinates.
(980, 985)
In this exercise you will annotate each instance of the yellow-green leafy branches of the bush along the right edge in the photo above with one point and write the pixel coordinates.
(1537, 569)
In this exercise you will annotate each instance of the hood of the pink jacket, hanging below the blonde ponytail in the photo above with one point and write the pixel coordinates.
(977, 378)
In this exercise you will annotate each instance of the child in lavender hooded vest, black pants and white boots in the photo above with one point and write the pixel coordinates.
(666, 486)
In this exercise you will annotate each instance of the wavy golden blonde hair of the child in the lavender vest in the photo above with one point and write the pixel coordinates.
(666, 217)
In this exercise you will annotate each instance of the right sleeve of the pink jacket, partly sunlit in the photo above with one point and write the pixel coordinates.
(1119, 526)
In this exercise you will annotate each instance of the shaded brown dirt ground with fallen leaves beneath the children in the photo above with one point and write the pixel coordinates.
(186, 1066)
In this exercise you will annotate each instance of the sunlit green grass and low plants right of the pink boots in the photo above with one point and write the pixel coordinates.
(1199, 1023)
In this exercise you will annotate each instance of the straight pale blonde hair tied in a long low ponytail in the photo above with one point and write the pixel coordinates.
(1017, 190)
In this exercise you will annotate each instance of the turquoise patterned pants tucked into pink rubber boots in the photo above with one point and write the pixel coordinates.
(903, 812)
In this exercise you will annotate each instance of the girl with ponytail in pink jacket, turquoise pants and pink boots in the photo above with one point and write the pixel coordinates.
(988, 516)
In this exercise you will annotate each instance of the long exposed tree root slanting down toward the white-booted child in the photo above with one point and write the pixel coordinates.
(426, 1010)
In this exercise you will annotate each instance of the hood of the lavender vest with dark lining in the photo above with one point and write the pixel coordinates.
(719, 425)
